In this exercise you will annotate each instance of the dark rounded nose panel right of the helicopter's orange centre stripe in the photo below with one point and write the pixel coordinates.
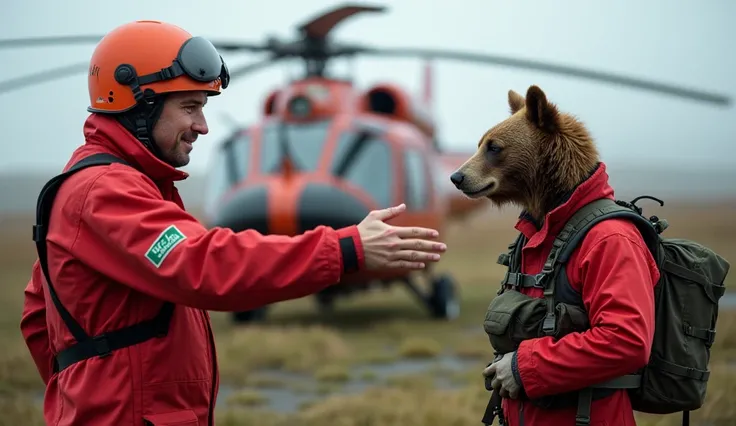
(326, 205)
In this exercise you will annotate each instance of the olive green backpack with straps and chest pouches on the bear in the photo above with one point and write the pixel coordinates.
(686, 310)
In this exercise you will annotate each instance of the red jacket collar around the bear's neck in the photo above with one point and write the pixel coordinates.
(596, 186)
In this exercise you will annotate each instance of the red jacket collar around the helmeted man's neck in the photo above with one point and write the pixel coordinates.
(111, 136)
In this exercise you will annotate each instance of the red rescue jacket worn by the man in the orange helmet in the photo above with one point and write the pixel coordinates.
(103, 222)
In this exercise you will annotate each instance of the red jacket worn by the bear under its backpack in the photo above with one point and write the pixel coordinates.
(616, 275)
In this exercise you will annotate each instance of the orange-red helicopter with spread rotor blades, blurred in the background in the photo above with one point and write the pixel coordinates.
(325, 152)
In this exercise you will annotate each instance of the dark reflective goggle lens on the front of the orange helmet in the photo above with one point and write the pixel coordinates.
(200, 60)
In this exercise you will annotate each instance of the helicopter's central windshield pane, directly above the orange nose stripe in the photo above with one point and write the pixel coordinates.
(305, 140)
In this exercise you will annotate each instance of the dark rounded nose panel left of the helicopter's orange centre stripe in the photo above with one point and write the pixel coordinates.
(245, 209)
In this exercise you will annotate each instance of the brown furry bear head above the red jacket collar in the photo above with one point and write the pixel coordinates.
(544, 154)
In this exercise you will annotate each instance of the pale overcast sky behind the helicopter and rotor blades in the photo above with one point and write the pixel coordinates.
(675, 41)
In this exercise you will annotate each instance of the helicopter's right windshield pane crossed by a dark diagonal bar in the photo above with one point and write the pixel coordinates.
(370, 169)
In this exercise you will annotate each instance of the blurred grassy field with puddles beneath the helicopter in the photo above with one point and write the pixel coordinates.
(377, 359)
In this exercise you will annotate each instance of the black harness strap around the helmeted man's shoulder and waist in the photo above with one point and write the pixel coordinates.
(86, 346)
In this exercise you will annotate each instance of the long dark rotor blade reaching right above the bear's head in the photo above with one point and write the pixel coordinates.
(599, 76)
